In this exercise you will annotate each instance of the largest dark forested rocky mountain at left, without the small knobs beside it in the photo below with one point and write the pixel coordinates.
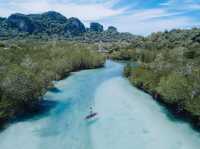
(46, 24)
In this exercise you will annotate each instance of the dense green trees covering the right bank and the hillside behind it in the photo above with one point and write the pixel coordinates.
(169, 68)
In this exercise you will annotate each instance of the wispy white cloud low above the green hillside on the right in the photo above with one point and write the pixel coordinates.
(144, 22)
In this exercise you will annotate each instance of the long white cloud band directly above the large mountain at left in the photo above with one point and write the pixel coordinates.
(91, 11)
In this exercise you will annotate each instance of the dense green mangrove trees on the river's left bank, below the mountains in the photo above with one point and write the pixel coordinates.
(27, 69)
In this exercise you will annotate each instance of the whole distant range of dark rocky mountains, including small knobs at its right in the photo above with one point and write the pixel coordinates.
(53, 24)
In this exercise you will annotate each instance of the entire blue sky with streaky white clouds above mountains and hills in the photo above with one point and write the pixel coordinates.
(135, 16)
